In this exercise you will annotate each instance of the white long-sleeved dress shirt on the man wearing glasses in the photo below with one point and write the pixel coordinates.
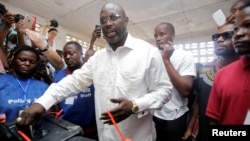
(134, 71)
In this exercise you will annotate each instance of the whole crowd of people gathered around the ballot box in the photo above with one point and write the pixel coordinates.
(147, 88)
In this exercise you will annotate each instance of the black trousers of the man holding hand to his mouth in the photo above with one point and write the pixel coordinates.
(170, 130)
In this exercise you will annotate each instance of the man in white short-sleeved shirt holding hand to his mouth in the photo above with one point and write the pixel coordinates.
(171, 120)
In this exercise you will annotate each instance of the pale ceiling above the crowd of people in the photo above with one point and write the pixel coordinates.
(192, 18)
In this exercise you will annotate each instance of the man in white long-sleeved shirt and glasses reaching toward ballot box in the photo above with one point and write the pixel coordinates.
(129, 78)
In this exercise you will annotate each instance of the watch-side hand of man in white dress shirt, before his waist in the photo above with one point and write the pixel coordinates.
(121, 112)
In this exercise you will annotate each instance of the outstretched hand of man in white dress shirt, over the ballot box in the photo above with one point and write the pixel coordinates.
(30, 115)
